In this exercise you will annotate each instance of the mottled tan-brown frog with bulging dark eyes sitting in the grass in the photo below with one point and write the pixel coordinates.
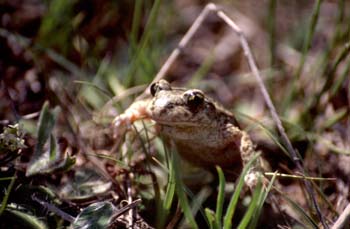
(202, 131)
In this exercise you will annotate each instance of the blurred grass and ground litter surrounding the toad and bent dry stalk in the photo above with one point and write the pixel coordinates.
(68, 67)
